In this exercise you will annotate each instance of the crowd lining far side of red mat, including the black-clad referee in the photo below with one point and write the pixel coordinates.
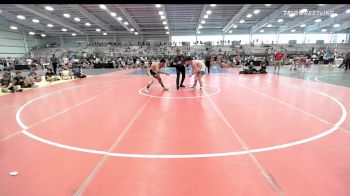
(59, 67)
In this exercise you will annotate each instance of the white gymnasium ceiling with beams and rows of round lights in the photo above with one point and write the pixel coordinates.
(180, 19)
